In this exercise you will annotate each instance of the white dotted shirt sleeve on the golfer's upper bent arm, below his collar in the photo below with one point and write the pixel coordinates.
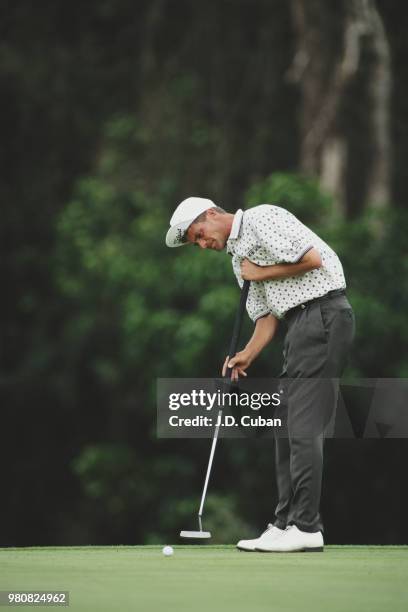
(281, 234)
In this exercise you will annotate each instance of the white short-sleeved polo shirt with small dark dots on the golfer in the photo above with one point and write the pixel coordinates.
(267, 235)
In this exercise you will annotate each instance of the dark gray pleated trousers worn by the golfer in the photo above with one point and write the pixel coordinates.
(316, 346)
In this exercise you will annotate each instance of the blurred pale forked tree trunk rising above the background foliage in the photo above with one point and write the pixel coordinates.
(342, 65)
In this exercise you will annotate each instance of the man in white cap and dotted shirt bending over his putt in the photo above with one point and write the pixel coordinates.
(296, 278)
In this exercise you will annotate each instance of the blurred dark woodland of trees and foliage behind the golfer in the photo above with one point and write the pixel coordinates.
(112, 112)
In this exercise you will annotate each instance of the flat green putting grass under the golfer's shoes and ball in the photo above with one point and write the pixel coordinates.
(213, 578)
